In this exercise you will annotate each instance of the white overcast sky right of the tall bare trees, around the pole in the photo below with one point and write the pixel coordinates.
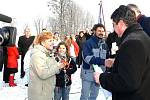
(110, 5)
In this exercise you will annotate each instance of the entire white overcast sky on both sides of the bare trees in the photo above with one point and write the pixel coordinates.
(26, 10)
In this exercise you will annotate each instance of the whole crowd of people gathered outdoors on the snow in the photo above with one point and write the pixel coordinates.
(123, 58)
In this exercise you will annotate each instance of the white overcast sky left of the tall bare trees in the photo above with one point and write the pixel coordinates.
(24, 11)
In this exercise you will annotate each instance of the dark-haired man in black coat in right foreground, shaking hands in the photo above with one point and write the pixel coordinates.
(130, 75)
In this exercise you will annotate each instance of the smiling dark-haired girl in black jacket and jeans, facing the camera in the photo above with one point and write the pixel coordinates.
(63, 79)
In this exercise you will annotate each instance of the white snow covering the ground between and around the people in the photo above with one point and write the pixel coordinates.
(20, 91)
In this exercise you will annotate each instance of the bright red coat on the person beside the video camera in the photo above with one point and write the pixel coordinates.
(13, 55)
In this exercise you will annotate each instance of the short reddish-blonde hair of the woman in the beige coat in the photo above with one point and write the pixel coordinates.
(43, 36)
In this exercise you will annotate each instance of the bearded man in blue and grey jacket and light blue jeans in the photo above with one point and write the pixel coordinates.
(94, 53)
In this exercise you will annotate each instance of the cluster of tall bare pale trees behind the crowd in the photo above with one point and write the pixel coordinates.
(69, 16)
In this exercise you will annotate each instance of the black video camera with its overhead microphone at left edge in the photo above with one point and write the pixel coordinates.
(7, 33)
